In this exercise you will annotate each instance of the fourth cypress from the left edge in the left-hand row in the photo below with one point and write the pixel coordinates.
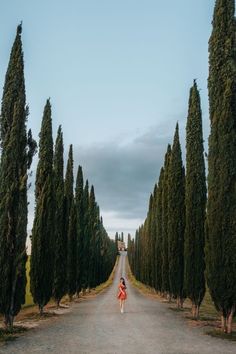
(69, 227)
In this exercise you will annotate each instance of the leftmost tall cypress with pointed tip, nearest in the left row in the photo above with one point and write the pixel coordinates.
(16, 157)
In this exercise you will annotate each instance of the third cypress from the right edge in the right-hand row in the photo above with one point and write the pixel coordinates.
(176, 220)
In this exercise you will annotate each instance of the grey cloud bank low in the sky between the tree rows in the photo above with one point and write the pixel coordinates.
(124, 175)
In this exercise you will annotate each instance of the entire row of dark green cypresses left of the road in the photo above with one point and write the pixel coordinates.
(71, 250)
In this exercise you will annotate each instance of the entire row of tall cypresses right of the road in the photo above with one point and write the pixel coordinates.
(188, 239)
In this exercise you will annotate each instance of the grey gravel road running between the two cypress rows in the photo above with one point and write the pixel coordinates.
(97, 326)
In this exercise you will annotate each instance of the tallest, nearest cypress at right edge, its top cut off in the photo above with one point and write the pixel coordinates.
(221, 207)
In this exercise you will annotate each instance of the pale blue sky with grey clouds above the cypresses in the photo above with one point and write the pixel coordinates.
(118, 74)
